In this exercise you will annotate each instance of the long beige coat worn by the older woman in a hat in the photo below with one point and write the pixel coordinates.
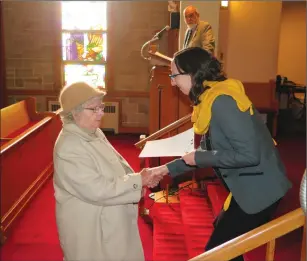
(96, 201)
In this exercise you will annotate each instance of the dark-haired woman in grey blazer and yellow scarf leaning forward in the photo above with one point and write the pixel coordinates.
(236, 144)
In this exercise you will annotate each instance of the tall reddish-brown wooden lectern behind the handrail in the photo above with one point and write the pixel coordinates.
(167, 104)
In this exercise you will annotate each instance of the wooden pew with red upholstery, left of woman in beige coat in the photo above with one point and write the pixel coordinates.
(27, 140)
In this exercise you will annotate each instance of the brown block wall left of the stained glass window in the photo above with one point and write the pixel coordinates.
(30, 30)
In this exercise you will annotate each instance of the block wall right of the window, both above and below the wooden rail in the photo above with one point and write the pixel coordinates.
(131, 25)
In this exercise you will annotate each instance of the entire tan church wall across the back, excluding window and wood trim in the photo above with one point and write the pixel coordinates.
(247, 35)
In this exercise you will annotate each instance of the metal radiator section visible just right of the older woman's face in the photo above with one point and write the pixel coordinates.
(110, 119)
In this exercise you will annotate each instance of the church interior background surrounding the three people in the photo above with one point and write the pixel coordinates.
(47, 44)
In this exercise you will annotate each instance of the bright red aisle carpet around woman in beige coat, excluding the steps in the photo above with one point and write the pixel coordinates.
(35, 237)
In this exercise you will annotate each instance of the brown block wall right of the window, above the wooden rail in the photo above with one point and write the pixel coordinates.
(134, 24)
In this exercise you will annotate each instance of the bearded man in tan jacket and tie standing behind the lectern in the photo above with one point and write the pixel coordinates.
(199, 33)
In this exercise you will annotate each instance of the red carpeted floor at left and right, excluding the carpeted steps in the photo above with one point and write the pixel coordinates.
(35, 238)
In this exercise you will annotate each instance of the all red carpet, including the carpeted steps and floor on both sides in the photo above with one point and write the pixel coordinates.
(179, 233)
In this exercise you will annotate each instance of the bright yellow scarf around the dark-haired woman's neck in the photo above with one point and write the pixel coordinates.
(201, 115)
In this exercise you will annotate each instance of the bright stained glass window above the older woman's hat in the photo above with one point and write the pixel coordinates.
(84, 41)
